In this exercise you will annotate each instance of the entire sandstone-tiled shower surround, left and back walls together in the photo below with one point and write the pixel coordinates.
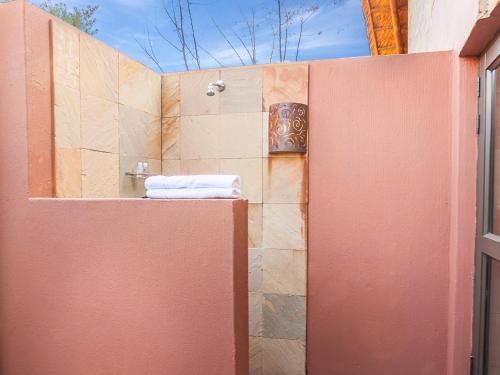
(111, 112)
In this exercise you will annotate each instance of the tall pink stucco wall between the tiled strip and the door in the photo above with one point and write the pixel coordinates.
(391, 215)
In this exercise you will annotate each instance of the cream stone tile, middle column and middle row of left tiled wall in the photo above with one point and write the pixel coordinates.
(99, 122)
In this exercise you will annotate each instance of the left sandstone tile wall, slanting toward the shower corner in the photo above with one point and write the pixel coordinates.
(107, 117)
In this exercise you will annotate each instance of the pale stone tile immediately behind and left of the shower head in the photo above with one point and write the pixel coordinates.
(194, 99)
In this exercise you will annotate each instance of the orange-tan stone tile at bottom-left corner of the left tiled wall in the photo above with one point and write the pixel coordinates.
(68, 173)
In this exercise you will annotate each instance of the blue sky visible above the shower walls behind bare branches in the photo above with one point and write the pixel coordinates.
(336, 30)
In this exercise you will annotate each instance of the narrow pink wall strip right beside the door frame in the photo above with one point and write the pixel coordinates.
(463, 214)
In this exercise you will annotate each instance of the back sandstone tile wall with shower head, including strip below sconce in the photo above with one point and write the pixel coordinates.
(227, 133)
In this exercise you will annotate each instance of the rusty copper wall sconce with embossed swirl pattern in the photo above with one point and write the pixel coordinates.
(288, 126)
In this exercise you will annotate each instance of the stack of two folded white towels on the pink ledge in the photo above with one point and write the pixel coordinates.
(193, 187)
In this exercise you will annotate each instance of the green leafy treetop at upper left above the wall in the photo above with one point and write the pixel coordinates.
(82, 18)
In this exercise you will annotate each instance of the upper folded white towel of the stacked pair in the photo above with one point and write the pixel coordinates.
(192, 182)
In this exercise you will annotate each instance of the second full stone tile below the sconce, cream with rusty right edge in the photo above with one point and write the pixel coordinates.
(284, 226)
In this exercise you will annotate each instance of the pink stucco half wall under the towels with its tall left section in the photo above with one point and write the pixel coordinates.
(109, 286)
